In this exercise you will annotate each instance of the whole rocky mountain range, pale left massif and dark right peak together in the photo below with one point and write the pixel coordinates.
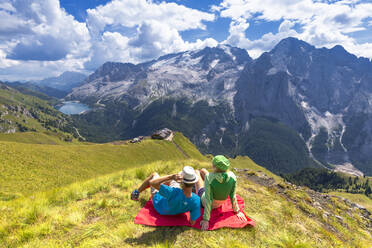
(295, 100)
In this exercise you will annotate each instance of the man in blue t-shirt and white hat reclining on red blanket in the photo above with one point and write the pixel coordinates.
(169, 197)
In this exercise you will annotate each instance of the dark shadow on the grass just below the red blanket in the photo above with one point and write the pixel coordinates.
(158, 235)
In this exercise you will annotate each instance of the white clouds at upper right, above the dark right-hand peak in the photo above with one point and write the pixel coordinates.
(323, 23)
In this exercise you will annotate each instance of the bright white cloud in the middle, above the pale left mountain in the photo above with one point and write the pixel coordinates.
(156, 26)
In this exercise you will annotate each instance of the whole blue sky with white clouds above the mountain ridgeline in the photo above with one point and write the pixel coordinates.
(43, 38)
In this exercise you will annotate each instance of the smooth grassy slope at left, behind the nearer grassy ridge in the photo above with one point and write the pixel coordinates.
(26, 168)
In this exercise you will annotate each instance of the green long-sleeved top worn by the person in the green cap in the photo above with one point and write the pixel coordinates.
(218, 186)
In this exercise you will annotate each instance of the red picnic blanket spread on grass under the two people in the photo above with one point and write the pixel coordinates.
(220, 217)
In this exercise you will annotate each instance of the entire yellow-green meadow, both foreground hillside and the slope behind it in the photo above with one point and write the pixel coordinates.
(79, 196)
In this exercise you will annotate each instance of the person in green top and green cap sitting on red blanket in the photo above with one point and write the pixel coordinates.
(214, 188)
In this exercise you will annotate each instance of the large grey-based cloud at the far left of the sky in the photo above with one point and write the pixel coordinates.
(34, 35)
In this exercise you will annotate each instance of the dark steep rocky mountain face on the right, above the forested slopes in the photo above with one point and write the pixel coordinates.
(321, 93)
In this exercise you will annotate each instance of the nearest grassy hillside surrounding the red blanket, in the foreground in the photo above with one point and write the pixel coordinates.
(99, 213)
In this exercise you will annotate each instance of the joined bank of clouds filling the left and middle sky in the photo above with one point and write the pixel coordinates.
(39, 34)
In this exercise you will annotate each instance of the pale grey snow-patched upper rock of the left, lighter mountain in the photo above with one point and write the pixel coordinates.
(207, 74)
